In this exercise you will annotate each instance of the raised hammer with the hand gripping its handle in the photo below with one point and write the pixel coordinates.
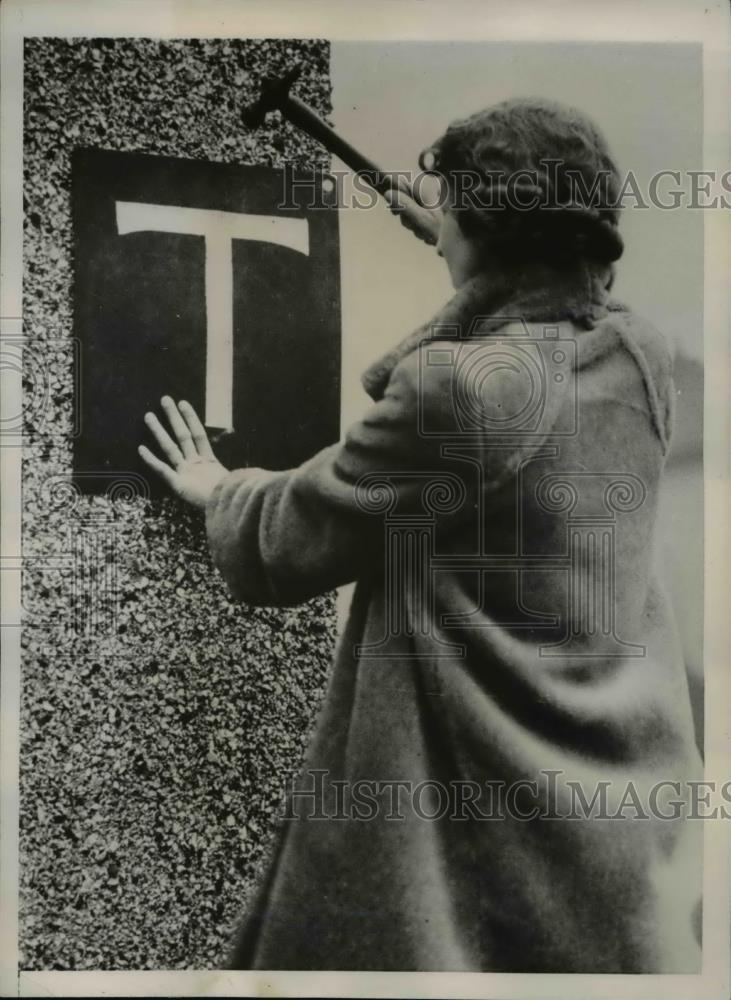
(275, 95)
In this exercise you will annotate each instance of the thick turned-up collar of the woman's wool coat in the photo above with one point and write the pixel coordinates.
(532, 293)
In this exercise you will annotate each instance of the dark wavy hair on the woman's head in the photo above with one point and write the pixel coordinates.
(531, 178)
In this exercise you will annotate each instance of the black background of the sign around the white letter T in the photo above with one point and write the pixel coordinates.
(140, 313)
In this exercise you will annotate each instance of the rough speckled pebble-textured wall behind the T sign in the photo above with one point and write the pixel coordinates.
(159, 721)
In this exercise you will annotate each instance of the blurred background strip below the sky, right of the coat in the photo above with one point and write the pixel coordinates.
(681, 526)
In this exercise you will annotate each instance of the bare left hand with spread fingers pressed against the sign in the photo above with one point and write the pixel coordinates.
(194, 470)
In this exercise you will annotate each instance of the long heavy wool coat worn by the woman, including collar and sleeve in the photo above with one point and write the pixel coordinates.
(490, 786)
